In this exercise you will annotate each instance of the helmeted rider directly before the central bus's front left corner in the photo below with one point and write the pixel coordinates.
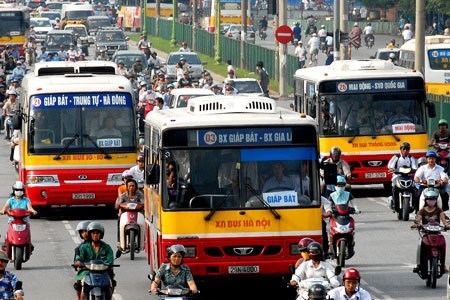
(174, 272)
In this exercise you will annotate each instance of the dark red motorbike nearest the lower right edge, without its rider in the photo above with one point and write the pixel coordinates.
(432, 253)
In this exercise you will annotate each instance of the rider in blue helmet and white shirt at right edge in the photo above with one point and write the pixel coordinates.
(432, 171)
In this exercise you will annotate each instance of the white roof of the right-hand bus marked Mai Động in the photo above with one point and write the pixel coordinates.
(355, 69)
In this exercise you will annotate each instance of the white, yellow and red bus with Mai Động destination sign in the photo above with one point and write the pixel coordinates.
(367, 108)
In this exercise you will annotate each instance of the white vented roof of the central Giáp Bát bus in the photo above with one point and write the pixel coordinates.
(232, 111)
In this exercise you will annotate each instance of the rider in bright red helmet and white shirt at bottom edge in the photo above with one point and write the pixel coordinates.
(350, 289)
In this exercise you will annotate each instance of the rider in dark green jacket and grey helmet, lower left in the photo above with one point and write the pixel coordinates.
(94, 249)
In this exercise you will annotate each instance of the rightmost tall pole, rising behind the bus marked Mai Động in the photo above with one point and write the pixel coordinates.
(419, 59)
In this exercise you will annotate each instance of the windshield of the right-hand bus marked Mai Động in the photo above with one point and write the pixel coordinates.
(365, 114)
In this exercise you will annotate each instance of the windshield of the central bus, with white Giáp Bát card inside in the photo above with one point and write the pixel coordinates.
(234, 178)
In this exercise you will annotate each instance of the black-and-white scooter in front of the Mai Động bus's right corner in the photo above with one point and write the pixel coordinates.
(404, 186)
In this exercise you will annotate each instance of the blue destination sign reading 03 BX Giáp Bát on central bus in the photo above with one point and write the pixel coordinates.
(244, 136)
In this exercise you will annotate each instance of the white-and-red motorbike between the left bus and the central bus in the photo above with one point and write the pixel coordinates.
(131, 229)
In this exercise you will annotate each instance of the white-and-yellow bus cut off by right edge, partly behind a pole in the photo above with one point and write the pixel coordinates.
(437, 62)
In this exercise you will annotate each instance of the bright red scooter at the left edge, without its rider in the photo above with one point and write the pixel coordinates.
(18, 244)
